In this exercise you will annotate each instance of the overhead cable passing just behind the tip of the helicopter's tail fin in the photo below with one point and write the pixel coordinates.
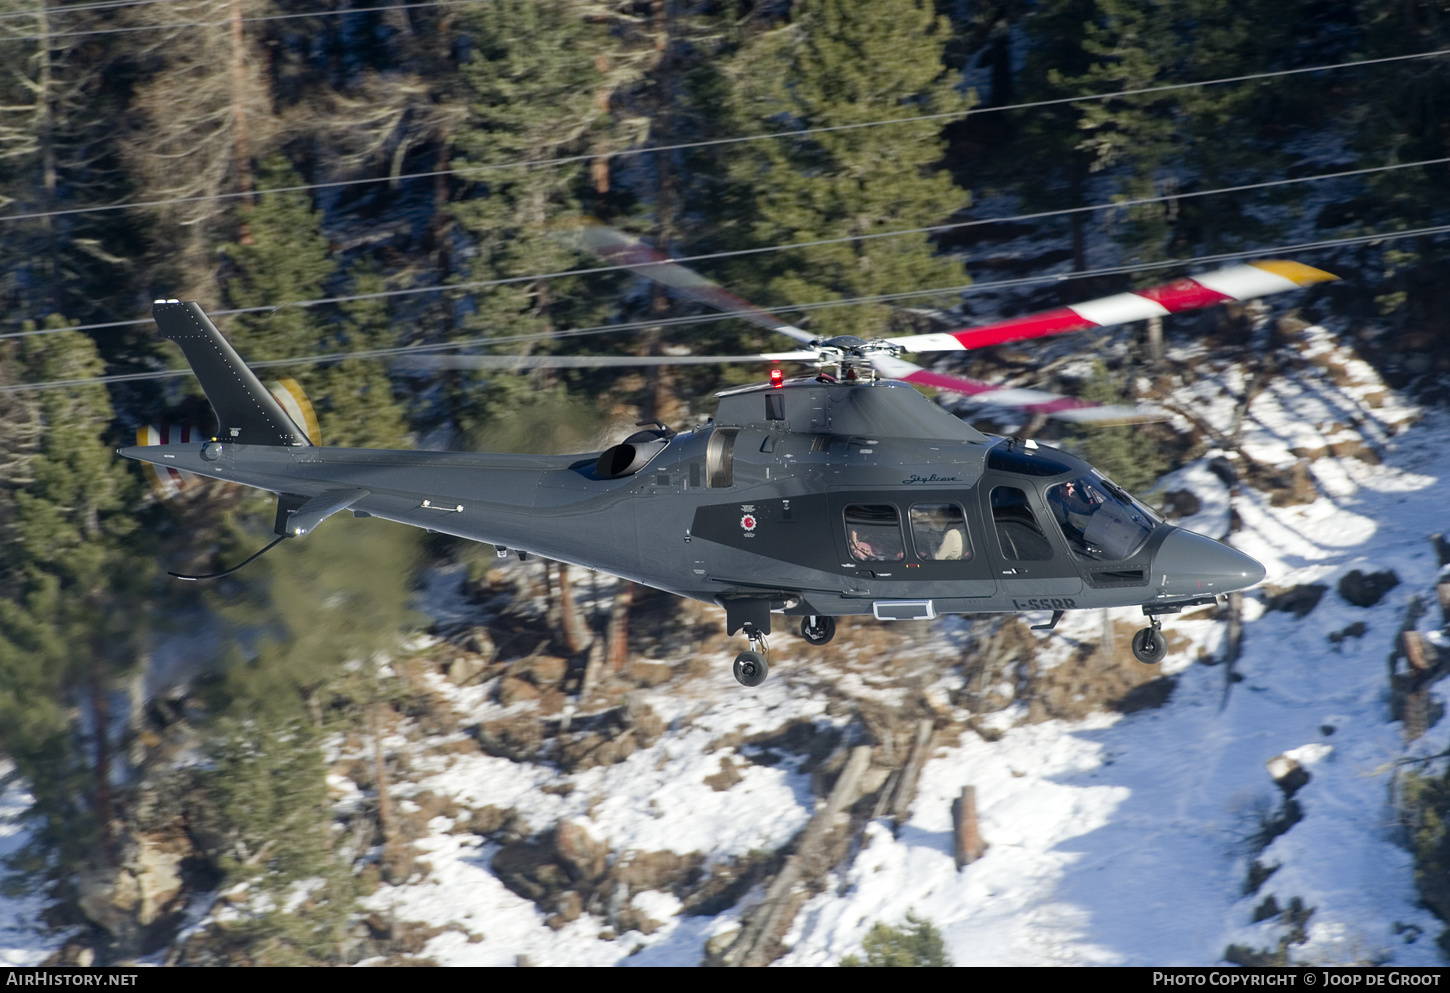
(933, 230)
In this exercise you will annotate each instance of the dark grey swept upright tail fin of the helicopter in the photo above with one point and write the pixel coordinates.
(247, 412)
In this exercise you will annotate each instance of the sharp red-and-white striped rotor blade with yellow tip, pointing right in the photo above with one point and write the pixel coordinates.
(1191, 294)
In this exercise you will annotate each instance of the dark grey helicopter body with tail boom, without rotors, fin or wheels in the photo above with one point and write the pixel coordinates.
(758, 507)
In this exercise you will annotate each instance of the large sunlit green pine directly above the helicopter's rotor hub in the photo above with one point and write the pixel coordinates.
(840, 65)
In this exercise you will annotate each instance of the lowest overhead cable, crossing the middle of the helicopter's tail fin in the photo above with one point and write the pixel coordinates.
(882, 298)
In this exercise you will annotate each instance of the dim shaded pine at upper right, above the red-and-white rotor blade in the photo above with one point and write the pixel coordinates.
(1158, 144)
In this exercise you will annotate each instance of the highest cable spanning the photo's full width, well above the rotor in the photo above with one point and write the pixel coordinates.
(566, 160)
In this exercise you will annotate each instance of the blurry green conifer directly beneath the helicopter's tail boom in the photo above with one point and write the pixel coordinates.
(312, 615)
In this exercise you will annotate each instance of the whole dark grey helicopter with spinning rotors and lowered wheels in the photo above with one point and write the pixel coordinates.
(833, 494)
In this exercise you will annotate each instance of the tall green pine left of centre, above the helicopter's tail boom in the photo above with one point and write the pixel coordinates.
(534, 91)
